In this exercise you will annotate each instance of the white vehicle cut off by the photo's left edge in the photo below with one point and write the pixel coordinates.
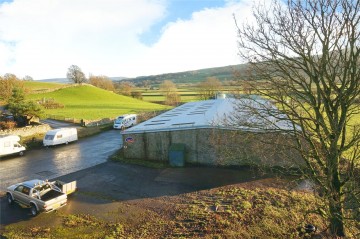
(9, 144)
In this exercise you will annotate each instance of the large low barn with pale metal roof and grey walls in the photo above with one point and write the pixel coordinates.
(213, 132)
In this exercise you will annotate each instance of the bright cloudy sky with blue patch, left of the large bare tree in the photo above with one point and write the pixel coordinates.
(118, 38)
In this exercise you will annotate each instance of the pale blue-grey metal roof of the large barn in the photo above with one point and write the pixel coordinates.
(227, 113)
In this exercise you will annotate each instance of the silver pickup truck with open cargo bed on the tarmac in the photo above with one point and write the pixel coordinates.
(39, 195)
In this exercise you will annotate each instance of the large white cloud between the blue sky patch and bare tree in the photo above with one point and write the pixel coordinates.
(208, 39)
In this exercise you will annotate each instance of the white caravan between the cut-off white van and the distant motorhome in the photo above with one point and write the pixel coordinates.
(60, 136)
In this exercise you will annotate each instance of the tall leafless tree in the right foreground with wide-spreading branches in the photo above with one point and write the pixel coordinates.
(308, 52)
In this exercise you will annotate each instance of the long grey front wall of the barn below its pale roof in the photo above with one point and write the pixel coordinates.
(215, 147)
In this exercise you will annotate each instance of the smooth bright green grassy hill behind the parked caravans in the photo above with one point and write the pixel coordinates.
(88, 102)
